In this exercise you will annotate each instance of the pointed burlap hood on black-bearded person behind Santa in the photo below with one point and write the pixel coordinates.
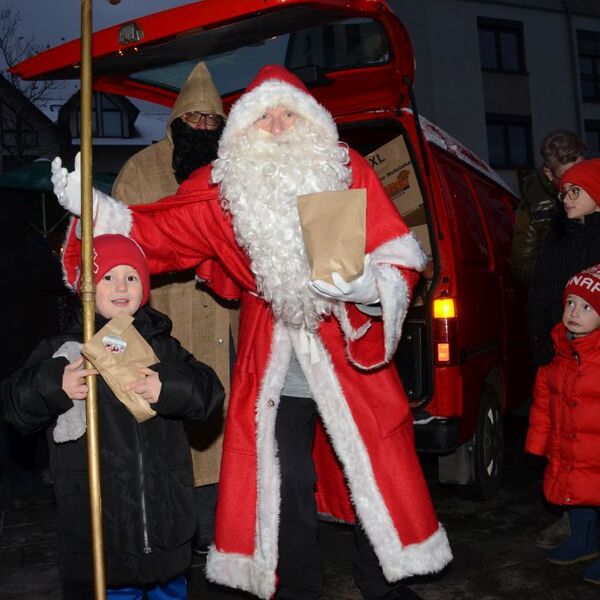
(198, 94)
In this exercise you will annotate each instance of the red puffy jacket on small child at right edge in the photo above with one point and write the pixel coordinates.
(564, 422)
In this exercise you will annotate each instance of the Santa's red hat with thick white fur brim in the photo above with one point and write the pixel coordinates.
(273, 86)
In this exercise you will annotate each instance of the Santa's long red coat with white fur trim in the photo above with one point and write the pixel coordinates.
(360, 399)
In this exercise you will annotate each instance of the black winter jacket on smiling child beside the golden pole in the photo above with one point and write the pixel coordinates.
(146, 472)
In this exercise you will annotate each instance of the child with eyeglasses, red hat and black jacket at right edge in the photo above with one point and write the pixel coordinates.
(576, 249)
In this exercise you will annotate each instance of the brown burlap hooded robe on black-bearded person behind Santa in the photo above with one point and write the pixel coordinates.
(200, 323)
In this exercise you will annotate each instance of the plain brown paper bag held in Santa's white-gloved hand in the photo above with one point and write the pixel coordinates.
(333, 227)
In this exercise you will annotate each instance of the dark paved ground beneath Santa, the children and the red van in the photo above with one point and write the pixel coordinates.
(493, 545)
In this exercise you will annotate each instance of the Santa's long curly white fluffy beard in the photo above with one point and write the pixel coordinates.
(260, 177)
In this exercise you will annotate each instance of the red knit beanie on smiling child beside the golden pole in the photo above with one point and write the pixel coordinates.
(111, 250)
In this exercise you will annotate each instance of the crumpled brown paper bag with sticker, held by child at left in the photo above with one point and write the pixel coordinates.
(117, 351)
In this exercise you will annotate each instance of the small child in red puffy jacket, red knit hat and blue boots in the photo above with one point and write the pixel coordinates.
(564, 422)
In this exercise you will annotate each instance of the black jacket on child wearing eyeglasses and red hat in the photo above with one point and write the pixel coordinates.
(559, 260)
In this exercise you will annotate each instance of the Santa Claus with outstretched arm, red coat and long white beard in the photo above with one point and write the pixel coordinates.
(313, 371)
